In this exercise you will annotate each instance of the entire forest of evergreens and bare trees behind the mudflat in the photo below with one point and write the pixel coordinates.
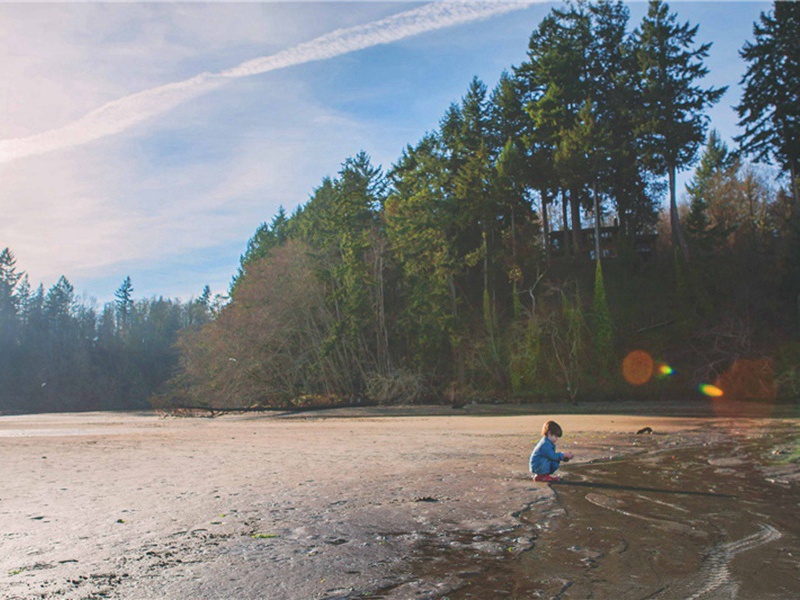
(517, 253)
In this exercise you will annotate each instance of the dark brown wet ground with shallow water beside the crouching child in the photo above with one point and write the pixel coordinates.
(701, 521)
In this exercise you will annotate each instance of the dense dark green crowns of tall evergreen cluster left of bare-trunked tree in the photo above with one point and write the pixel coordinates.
(583, 95)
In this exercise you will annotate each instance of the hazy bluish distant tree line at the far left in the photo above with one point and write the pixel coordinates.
(63, 353)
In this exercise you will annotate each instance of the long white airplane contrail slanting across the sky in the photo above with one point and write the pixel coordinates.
(128, 111)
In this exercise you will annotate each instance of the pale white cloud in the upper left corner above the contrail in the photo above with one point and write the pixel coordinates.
(59, 61)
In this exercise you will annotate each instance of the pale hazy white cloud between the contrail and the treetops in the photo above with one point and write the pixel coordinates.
(102, 206)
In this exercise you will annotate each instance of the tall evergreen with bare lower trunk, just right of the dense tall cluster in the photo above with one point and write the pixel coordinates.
(673, 123)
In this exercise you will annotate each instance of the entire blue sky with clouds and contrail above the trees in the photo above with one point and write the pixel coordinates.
(133, 141)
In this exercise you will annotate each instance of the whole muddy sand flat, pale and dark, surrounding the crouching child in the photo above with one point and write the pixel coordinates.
(393, 503)
